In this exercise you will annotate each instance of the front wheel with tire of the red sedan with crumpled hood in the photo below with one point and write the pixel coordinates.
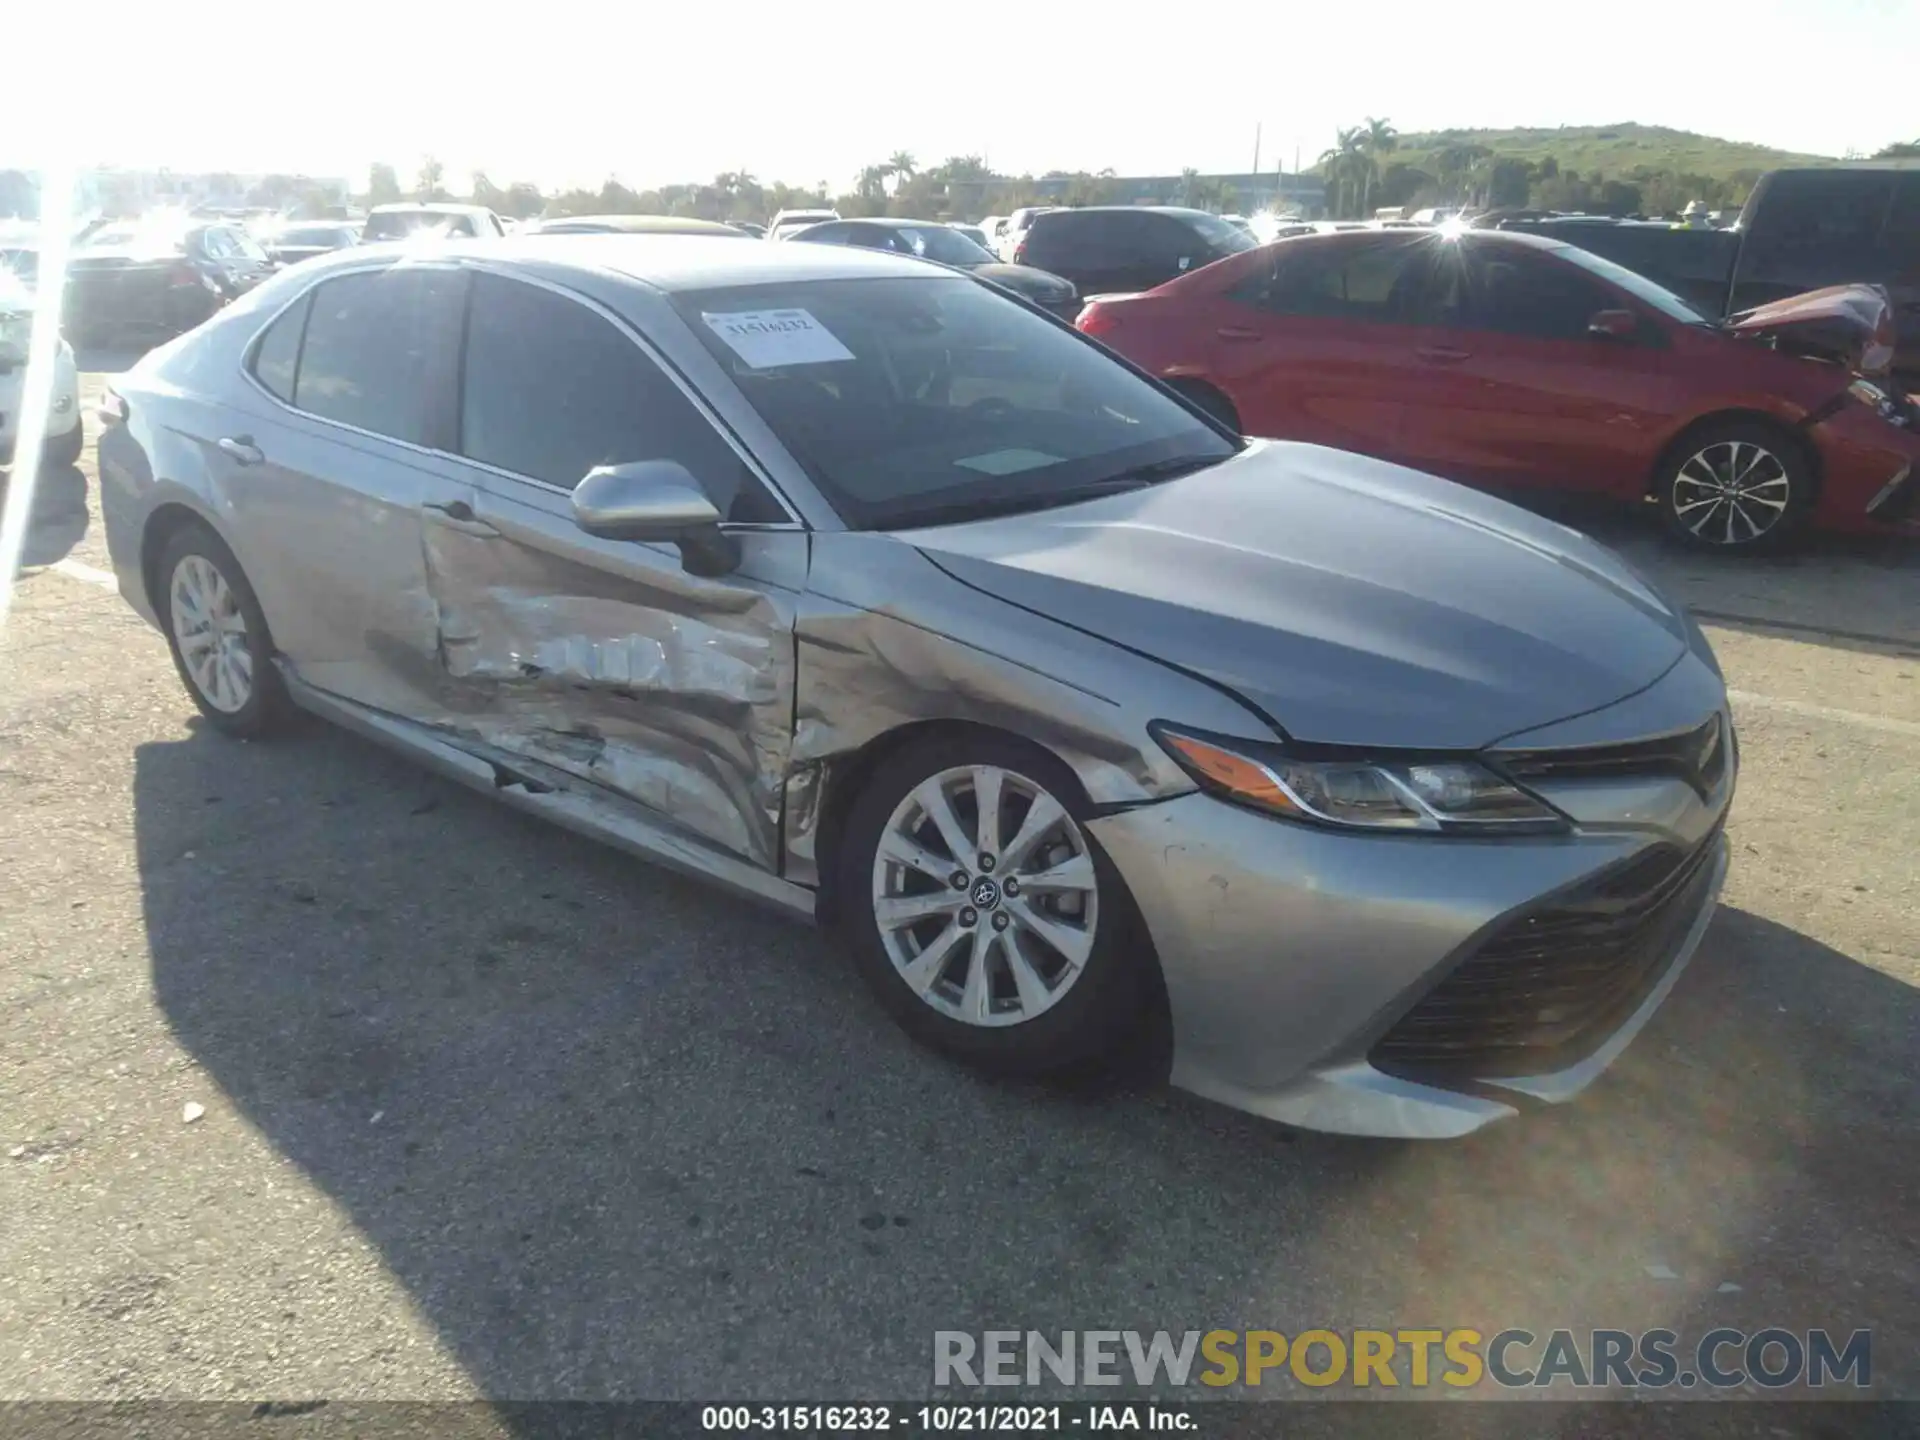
(1771, 491)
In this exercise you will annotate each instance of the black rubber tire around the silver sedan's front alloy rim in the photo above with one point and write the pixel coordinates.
(1105, 1005)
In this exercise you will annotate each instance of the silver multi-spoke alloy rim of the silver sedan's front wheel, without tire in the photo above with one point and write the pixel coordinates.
(986, 896)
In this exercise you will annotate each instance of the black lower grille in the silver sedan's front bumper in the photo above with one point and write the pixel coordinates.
(1547, 990)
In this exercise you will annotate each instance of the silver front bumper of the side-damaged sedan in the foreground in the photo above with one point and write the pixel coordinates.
(1295, 957)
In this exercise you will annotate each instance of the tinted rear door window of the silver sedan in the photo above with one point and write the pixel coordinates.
(372, 348)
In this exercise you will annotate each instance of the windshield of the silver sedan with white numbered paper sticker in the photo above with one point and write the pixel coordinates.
(926, 400)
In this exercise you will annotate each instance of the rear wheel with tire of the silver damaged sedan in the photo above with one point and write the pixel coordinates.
(220, 638)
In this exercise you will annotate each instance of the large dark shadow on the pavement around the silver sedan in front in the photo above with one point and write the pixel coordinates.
(619, 1136)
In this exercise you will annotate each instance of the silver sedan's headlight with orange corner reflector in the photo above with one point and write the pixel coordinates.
(1364, 792)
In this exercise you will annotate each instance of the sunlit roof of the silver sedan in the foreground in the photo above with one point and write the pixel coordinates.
(665, 262)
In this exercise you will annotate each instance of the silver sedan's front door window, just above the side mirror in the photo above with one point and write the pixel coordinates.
(552, 391)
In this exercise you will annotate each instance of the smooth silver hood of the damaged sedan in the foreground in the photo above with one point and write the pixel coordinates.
(1353, 602)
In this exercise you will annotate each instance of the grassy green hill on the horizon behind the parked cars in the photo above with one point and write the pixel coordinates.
(1612, 151)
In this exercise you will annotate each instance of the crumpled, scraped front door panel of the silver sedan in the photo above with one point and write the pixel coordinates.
(608, 663)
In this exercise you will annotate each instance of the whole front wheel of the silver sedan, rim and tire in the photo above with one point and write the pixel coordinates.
(984, 915)
